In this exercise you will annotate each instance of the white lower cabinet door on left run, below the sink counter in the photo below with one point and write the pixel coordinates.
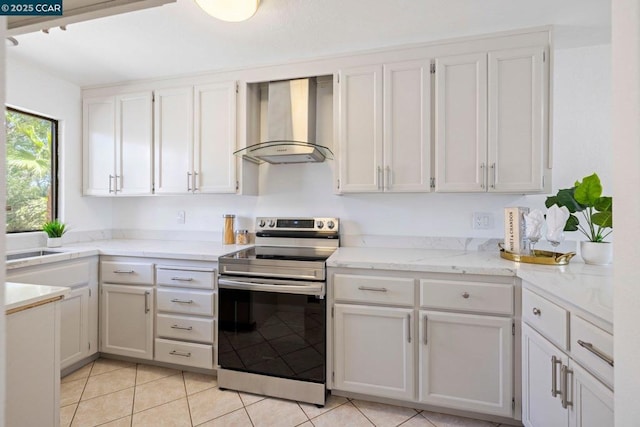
(74, 327)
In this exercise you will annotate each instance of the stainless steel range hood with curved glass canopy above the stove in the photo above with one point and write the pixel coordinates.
(291, 126)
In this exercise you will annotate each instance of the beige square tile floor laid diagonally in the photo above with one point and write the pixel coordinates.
(116, 393)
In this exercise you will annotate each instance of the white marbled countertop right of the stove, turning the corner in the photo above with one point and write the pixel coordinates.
(584, 289)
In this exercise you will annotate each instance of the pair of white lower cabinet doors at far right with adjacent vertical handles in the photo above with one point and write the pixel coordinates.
(557, 391)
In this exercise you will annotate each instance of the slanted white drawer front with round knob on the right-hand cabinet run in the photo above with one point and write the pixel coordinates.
(549, 319)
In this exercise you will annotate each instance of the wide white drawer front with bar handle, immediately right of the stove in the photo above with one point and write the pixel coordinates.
(383, 290)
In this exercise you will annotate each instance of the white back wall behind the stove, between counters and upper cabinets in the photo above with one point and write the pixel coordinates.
(581, 129)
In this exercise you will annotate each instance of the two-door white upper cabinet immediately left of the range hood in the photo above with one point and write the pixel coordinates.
(195, 135)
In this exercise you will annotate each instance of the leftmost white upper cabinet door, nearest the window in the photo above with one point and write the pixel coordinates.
(98, 137)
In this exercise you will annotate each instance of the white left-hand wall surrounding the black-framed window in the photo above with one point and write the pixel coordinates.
(33, 90)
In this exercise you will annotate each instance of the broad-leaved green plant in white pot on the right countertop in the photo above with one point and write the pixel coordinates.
(585, 200)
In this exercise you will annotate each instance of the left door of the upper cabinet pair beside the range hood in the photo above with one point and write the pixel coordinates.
(173, 140)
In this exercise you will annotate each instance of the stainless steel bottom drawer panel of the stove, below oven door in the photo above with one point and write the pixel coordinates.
(302, 391)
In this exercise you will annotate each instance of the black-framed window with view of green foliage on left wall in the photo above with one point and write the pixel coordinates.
(31, 170)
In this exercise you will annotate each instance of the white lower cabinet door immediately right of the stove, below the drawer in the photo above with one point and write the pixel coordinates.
(373, 350)
